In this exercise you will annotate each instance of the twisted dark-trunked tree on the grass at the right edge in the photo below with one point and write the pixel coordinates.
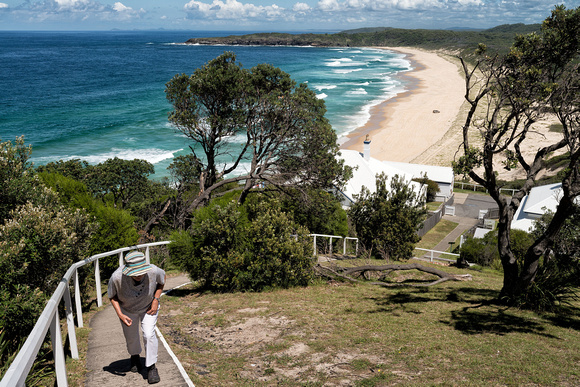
(507, 95)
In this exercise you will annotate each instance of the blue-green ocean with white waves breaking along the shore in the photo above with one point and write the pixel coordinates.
(99, 95)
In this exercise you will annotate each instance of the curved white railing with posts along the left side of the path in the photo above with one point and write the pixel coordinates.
(49, 319)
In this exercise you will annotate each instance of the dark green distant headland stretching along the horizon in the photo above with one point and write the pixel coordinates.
(499, 38)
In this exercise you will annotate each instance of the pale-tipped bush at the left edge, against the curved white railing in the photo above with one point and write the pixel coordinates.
(37, 245)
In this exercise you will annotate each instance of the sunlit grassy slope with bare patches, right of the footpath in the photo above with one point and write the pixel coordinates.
(364, 335)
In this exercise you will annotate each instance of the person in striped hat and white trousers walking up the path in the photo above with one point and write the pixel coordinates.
(134, 290)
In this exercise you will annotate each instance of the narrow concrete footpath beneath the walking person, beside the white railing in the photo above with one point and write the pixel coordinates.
(107, 358)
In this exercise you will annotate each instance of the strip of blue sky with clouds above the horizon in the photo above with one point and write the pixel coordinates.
(269, 15)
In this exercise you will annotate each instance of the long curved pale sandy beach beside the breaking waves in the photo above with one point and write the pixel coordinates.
(404, 127)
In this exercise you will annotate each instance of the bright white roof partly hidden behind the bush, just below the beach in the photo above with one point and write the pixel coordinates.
(364, 173)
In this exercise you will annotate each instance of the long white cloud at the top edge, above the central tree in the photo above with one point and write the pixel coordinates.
(232, 9)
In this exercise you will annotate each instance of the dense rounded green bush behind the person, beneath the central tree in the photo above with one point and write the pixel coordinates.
(247, 248)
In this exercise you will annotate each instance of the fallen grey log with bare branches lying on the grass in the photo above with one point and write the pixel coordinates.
(345, 273)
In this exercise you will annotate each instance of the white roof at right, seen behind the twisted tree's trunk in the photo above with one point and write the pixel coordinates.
(539, 201)
